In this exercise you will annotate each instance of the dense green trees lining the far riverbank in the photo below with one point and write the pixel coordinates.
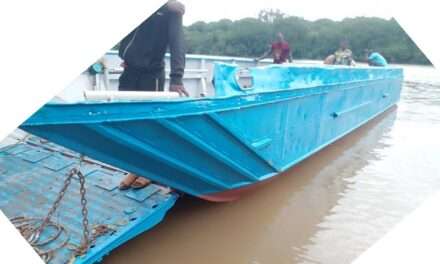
(250, 37)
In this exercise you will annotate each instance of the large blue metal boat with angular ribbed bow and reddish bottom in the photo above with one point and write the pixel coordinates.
(217, 147)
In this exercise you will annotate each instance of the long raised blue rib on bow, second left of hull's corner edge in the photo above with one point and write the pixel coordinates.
(146, 149)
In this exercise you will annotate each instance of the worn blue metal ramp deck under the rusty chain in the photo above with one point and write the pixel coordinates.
(33, 172)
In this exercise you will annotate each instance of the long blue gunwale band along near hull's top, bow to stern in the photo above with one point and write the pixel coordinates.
(161, 108)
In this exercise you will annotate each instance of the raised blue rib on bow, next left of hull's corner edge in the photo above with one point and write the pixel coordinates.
(194, 140)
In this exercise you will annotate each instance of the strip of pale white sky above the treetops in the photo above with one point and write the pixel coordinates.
(211, 10)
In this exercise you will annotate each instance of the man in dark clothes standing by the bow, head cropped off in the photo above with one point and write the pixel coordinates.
(143, 53)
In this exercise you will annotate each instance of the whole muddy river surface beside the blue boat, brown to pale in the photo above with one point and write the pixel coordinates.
(328, 209)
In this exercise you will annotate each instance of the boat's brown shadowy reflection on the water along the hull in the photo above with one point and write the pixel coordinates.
(301, 197)
